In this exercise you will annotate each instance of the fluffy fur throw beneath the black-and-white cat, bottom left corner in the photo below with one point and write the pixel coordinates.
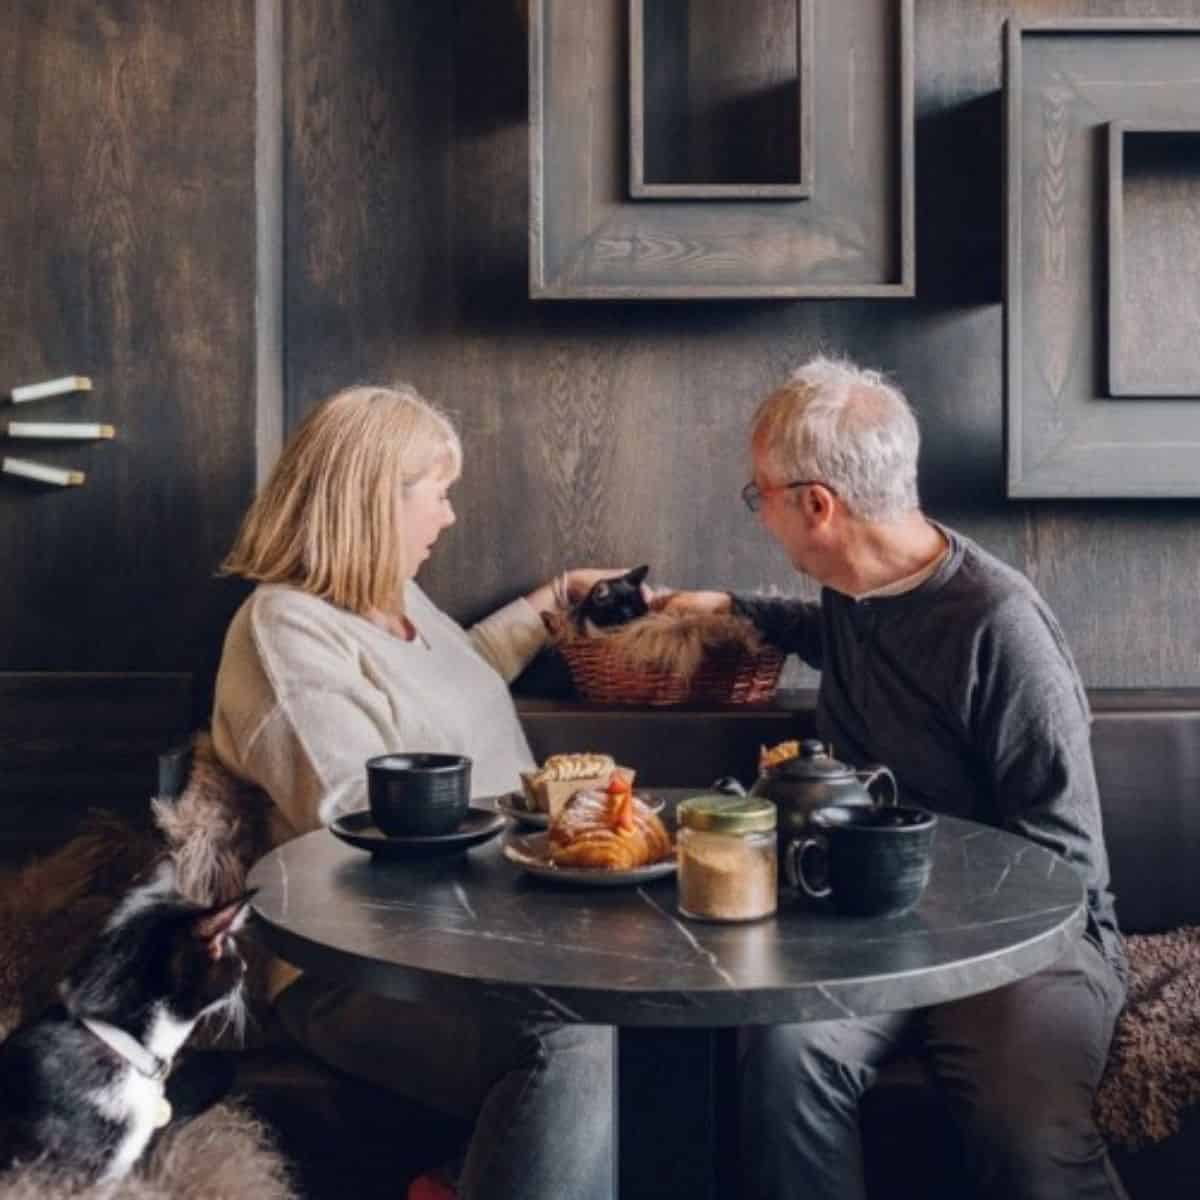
(223, 1155)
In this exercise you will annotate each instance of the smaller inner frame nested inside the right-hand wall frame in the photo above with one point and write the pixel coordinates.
(1137, 365)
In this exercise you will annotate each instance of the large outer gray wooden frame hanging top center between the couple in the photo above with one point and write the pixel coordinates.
(590, 241)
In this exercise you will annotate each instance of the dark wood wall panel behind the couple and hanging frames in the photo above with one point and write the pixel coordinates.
(614, 433)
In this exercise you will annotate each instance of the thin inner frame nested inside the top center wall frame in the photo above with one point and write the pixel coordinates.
(639, 188)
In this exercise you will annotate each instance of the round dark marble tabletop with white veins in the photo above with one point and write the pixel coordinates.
(476, 927)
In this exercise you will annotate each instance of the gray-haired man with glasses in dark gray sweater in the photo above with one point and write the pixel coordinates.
(947, 665)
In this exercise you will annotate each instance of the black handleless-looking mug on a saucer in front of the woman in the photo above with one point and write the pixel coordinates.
(419, 795)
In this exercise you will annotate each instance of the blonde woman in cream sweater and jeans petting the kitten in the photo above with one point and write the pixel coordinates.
(339, 656)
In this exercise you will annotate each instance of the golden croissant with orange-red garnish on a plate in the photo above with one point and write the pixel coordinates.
(598, 830)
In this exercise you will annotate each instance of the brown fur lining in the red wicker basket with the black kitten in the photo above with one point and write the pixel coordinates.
(662, 641)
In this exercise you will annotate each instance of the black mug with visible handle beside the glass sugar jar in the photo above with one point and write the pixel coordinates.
(878, 859)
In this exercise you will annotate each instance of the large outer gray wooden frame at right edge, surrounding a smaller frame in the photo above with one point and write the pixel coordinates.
(1065, 83)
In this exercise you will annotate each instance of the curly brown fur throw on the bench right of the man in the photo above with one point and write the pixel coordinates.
(1154, 1071)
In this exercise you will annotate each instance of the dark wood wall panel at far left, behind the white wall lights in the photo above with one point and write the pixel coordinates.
(127, 255)
